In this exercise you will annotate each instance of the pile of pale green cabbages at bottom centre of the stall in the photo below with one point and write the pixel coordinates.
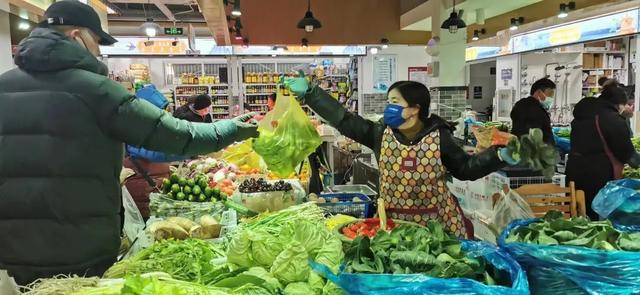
(283, 242)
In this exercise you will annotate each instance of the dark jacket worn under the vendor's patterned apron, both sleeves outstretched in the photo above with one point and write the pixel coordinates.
(461, 165)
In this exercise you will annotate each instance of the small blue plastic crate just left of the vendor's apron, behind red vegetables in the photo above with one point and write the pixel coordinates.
(345, 205)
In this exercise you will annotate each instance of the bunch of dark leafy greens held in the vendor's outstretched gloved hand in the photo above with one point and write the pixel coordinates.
(531, 150)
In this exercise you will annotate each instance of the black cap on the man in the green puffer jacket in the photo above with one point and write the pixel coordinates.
(76, 13)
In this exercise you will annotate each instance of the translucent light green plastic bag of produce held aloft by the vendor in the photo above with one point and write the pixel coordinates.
(287, 136)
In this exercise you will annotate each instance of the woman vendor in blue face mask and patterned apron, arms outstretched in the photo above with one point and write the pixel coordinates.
(414, 149)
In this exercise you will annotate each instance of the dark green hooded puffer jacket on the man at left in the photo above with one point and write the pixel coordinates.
(62, 128)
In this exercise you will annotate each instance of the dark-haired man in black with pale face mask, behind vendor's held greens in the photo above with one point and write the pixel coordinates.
(532, 112)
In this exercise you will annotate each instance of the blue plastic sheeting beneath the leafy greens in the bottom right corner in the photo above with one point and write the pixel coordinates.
(554, 269)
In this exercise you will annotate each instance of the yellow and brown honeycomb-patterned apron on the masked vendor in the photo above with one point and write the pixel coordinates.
(412, 182)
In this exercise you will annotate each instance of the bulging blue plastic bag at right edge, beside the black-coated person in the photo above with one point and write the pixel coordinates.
(619, 201)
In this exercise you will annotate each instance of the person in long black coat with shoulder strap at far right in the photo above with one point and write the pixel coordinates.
(600, 143)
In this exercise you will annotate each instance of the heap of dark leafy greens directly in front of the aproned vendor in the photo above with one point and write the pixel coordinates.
(410, 249)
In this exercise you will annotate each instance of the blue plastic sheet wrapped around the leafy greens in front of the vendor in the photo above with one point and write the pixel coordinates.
(393, 284)
